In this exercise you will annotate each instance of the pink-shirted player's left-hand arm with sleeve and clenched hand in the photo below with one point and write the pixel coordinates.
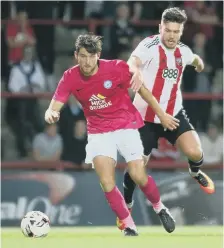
(60, 97)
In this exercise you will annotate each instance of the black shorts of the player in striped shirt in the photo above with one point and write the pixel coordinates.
(151, 132)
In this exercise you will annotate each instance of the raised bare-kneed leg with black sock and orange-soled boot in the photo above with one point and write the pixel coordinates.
(189, 144)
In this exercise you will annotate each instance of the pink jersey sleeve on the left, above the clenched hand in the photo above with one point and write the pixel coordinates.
(63, 91)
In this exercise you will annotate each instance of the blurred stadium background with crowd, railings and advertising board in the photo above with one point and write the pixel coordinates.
(42, 167)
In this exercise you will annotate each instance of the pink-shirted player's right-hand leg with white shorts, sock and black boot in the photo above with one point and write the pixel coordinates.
(132, 151)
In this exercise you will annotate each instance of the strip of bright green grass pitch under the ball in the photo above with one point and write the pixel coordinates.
(111, 237)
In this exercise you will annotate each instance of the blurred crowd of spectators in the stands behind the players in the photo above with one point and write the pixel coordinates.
(35, 56)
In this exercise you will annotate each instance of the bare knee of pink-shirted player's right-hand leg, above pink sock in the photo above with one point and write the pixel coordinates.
(137, 172)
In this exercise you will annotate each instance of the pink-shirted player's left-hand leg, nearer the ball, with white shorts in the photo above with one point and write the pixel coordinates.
(101, 151)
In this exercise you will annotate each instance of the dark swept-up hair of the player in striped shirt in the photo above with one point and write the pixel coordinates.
(174, 15)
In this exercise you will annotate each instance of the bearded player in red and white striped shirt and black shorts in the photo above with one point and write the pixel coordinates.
(162, 59)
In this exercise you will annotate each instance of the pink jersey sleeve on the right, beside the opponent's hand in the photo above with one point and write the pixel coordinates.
(123, 70)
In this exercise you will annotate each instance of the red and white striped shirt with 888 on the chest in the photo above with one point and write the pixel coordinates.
(162, 71)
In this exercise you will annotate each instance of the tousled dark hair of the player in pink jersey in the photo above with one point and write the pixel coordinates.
(92, 43)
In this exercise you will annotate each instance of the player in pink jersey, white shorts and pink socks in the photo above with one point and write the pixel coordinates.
(101, 87)
